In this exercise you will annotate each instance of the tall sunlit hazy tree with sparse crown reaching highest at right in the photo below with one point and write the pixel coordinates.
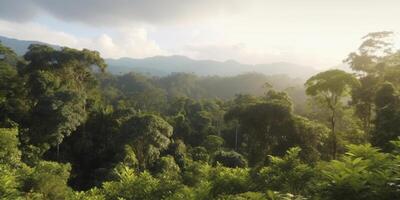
(370, 60)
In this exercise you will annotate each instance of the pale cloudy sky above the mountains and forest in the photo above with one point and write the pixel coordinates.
(316, 33)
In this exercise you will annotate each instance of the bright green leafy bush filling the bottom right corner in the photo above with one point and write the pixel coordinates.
(363, 173)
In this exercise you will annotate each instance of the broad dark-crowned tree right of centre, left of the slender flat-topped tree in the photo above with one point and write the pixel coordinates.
(263, 126)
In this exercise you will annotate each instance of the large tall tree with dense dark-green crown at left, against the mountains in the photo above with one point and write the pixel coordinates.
(59, 83)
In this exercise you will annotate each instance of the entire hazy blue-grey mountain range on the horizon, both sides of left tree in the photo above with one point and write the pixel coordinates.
(164, 65)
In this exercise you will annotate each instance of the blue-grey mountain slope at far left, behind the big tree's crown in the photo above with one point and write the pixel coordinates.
(21, 46)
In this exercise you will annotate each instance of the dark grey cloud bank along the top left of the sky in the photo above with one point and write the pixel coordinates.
(117, 12)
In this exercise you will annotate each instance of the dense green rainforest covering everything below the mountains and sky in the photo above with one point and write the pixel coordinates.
(70, 130)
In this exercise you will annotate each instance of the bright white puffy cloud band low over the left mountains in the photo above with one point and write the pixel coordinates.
(133, 42)
